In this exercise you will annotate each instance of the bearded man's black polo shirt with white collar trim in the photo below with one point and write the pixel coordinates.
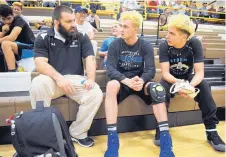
(65, 57)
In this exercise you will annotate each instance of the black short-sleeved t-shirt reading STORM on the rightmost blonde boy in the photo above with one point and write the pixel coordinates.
(182, 60)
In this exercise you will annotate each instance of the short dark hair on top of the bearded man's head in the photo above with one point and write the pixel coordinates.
(58, 10)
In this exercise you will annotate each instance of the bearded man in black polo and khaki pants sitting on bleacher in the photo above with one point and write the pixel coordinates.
(58, 57)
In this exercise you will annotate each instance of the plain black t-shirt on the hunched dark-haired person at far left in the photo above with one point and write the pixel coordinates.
(26, 35)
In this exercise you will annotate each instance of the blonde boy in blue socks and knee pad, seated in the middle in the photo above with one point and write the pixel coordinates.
(131, 68)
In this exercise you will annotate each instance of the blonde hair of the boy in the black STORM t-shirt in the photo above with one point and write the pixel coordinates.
(183, 23)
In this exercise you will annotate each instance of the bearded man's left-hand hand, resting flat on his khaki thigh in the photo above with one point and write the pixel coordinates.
(66, 85)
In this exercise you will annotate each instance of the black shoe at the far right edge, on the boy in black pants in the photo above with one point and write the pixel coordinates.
(215, 141)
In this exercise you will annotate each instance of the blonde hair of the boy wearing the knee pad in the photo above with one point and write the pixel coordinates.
(134, 16)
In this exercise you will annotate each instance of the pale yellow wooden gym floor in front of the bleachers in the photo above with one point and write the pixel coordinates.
(188, 141)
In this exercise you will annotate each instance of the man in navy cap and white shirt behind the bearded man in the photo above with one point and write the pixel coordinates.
(85, 27)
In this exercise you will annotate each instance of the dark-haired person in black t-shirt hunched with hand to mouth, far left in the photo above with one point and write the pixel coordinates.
(15, 36)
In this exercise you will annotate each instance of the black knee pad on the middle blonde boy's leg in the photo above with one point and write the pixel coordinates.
(157, 92)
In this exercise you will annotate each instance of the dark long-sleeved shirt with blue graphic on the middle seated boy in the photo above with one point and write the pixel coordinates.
(126, 61)
